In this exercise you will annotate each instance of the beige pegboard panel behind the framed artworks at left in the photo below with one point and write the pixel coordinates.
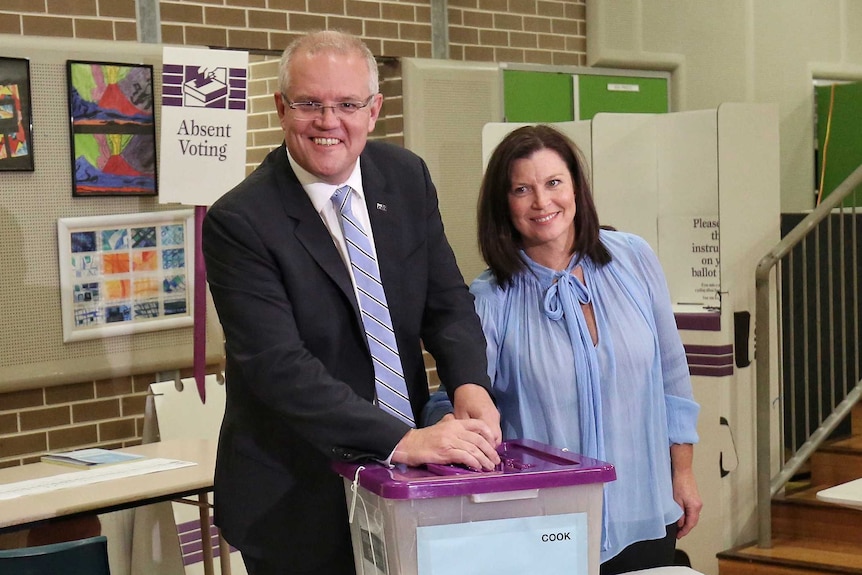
(32, 351)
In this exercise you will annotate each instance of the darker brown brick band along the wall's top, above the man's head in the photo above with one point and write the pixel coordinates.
(519, 31)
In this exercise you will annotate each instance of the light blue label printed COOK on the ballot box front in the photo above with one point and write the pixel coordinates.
(550, 544)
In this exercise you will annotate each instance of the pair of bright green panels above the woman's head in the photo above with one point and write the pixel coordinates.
(561, 97)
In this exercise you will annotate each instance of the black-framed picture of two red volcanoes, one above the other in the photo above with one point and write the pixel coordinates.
(113, 129)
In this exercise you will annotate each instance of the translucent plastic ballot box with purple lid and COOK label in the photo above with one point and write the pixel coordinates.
(540, 511)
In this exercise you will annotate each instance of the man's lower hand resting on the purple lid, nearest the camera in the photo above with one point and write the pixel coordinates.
(449, 441)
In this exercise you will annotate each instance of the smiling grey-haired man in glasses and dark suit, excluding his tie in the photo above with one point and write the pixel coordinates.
(300, 378)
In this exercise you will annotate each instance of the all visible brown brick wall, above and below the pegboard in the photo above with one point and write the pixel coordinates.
(110, 413)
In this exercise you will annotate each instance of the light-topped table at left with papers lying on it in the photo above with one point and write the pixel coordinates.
(122, 493)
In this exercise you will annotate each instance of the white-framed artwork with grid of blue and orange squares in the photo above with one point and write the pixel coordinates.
(126, 273)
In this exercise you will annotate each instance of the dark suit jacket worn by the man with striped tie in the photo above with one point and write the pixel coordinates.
(299, 376)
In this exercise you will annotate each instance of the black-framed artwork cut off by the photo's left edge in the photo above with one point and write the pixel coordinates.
(16, 123)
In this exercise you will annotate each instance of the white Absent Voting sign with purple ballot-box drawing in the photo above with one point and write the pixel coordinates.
(204, 124)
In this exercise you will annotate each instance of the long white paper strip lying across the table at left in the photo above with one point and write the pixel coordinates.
(86, 477)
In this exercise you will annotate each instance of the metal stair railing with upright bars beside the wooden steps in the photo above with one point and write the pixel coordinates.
(817, 282)
